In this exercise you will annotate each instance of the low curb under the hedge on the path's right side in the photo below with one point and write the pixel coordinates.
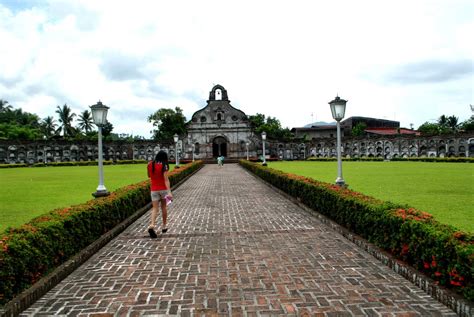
(445, 296)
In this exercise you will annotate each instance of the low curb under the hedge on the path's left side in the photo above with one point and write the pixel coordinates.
(35, 292)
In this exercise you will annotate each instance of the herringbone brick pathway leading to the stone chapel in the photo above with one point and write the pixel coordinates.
(235, 247)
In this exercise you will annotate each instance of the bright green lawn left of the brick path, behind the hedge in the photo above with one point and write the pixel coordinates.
(28, 192)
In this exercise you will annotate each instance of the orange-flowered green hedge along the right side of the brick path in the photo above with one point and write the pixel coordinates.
(440, 251)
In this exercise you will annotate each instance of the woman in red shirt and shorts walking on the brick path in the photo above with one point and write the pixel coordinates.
(160, 188)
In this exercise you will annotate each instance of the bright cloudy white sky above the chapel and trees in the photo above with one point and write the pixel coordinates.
(409, 61)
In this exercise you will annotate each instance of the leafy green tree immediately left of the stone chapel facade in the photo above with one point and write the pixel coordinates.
(168, 122)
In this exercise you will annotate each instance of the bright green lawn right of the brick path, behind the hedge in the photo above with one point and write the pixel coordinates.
(445, 190)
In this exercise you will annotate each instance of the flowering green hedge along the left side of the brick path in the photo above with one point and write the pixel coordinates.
(36, 248)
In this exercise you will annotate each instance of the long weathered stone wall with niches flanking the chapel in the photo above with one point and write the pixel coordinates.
(387, 147)
